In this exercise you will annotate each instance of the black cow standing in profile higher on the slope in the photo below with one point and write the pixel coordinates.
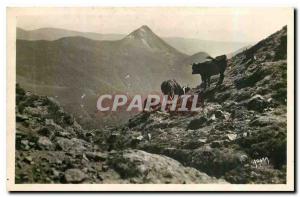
(209, 68)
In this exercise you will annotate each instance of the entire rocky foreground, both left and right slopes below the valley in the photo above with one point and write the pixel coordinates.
(238, 137)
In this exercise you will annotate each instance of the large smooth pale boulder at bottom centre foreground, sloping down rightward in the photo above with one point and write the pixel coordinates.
(143, 167)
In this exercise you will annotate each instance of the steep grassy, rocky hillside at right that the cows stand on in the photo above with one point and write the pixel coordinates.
(241, 132)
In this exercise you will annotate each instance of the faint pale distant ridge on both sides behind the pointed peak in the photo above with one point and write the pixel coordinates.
(188, 46)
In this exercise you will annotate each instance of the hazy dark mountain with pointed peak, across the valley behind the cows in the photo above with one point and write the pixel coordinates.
(71, 67)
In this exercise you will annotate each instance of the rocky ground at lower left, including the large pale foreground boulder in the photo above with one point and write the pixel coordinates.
(51, 147)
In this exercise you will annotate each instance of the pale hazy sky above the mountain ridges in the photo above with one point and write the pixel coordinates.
(221, 24)
